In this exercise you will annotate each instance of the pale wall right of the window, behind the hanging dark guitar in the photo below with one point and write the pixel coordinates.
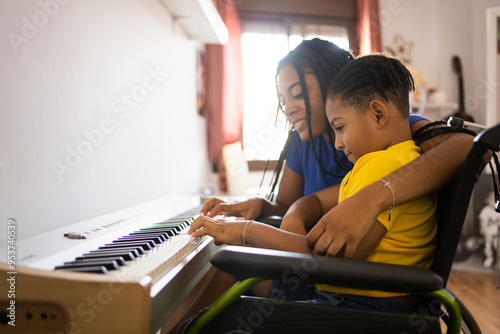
(439, 30)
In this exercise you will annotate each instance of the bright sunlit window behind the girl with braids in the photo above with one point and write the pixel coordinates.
(263, 44)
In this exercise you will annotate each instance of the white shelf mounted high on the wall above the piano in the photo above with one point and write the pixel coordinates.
(200, 19)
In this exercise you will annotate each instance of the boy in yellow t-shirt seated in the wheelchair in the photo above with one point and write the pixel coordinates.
(367, 107)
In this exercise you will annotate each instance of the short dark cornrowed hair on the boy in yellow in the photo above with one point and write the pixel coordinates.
(360, 81)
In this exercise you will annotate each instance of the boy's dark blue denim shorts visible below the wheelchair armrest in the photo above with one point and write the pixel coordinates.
(309, 294)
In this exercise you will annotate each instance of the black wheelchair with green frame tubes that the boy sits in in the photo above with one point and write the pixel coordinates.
(235, 313)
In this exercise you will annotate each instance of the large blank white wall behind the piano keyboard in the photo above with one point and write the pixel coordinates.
(113, 81)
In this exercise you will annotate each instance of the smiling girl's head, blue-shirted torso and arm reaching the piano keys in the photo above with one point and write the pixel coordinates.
(302, 78)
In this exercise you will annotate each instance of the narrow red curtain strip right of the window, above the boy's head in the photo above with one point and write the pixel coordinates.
(369, 31)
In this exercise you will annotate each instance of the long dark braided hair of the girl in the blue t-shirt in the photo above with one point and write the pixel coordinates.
(323, 59)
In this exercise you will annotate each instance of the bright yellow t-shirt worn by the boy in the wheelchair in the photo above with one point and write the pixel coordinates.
(411, 234)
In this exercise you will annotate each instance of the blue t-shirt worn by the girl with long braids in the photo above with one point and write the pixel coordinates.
(300, 158)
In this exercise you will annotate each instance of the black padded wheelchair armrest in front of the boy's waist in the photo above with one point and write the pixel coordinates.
(249, 262)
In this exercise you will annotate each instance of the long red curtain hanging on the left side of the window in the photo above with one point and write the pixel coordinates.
(224, 104)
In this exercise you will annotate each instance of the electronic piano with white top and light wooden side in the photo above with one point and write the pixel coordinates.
(125, 272)
